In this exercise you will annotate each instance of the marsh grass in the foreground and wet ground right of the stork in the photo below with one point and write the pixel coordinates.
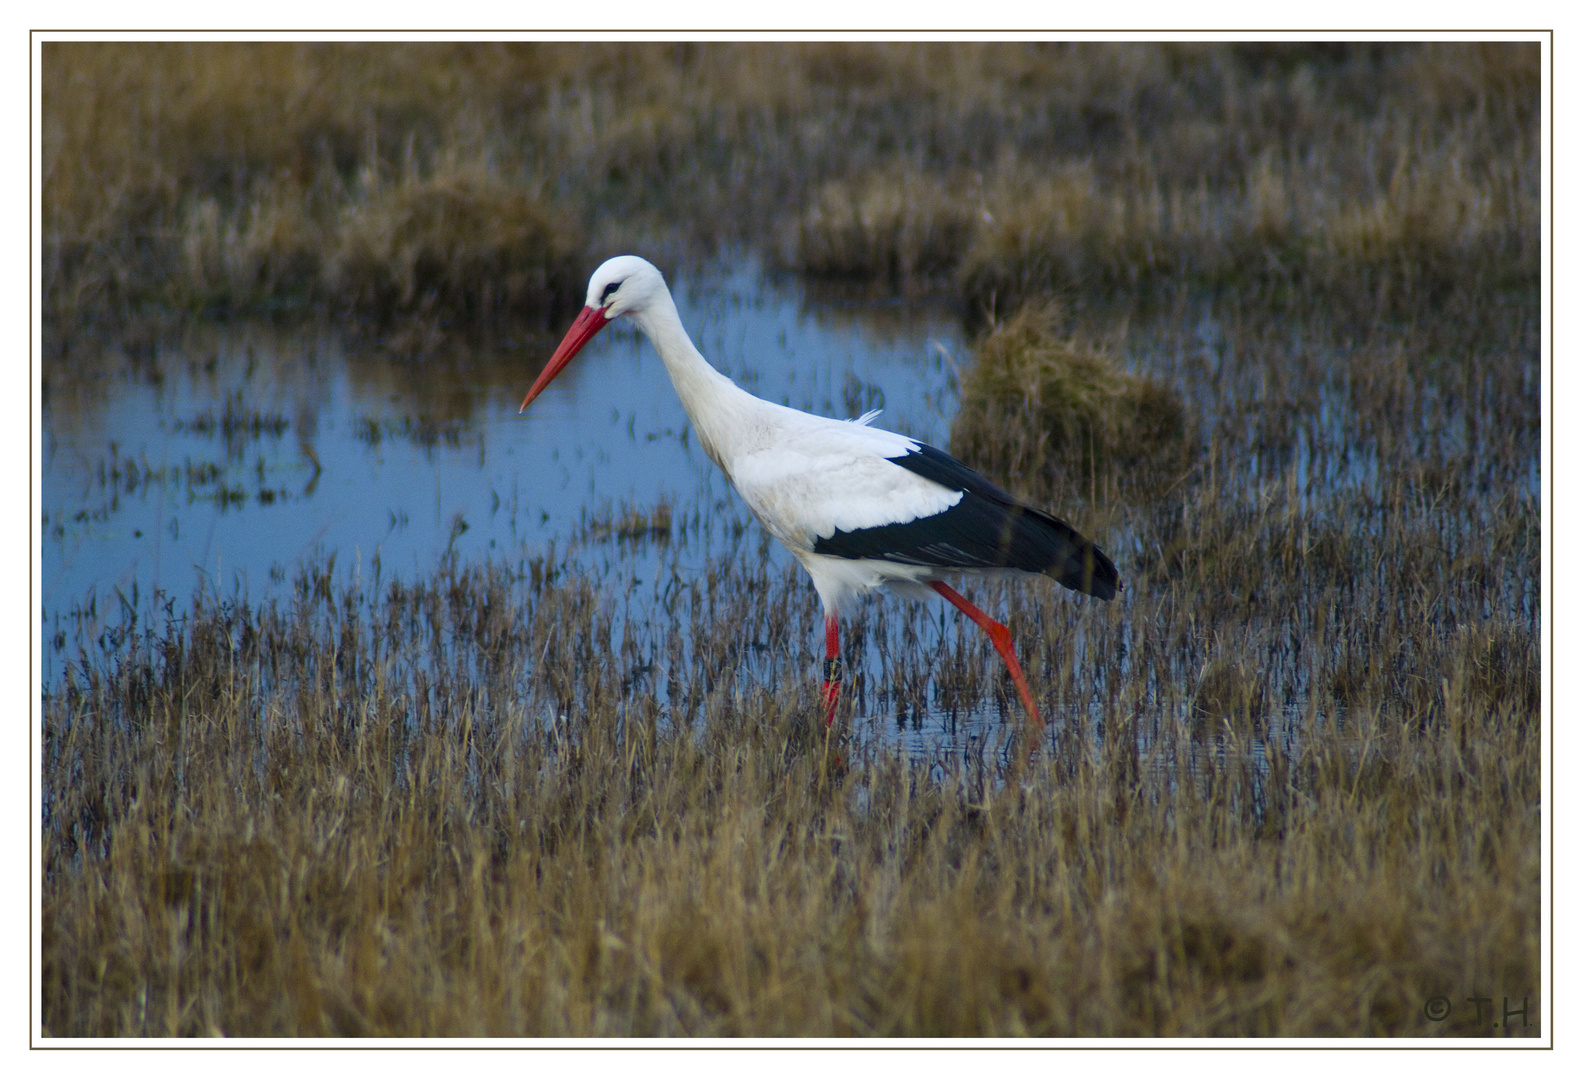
(1293, 785)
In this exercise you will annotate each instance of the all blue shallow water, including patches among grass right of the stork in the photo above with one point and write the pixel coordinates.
(238, 455)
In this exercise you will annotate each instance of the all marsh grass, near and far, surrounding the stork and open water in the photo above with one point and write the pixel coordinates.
(1264, 321)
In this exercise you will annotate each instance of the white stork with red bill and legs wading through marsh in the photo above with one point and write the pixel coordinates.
(857, 506)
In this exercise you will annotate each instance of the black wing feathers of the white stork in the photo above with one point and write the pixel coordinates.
(987, 530)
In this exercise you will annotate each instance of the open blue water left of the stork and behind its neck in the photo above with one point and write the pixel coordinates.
(241, 454)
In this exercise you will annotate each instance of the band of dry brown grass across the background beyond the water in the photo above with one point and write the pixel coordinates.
(245, 175)
